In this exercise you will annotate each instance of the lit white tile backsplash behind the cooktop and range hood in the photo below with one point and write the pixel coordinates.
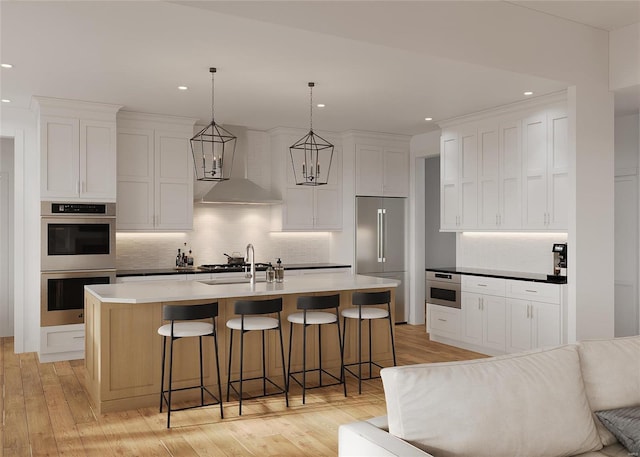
(219, 229)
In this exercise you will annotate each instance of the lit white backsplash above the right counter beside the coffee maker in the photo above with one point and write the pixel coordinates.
(523, 252)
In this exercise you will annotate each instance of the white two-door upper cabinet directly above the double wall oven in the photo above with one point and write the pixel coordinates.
(77, 149)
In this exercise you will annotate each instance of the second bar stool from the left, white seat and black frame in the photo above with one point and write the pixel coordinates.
(251, 318)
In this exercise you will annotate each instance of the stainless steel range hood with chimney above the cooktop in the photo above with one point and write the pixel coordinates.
(238, 190)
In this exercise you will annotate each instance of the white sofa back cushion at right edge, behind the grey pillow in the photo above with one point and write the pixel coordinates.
(611, 373)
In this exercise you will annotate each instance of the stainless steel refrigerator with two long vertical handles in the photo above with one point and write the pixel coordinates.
(380, 242)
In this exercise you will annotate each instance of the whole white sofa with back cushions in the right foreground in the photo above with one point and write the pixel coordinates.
(534, 404)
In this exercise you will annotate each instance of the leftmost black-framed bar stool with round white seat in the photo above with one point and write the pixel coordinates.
(176, 330)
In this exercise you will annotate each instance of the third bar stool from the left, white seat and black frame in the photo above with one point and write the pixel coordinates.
(311, 316)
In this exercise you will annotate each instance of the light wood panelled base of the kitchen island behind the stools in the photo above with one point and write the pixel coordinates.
(123, 352)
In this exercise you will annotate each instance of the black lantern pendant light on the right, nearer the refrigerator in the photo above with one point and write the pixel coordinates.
(311, 155)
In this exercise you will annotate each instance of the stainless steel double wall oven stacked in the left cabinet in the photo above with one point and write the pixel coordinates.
(78, 248)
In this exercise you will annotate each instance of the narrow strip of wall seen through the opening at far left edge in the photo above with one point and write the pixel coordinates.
(6, 236)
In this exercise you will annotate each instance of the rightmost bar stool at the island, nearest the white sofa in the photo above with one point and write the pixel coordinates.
(361, 311)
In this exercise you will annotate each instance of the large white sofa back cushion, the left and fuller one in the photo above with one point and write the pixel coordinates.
(529, 405)
